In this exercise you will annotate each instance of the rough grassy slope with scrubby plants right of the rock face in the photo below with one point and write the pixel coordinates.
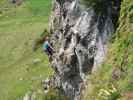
(120, 56)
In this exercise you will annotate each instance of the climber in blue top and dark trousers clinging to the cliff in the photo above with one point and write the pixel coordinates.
(47, 47)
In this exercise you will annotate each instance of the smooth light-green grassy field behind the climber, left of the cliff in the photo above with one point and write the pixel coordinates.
(18, 28)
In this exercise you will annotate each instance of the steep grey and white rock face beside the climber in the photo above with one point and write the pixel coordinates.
(79, 37)
